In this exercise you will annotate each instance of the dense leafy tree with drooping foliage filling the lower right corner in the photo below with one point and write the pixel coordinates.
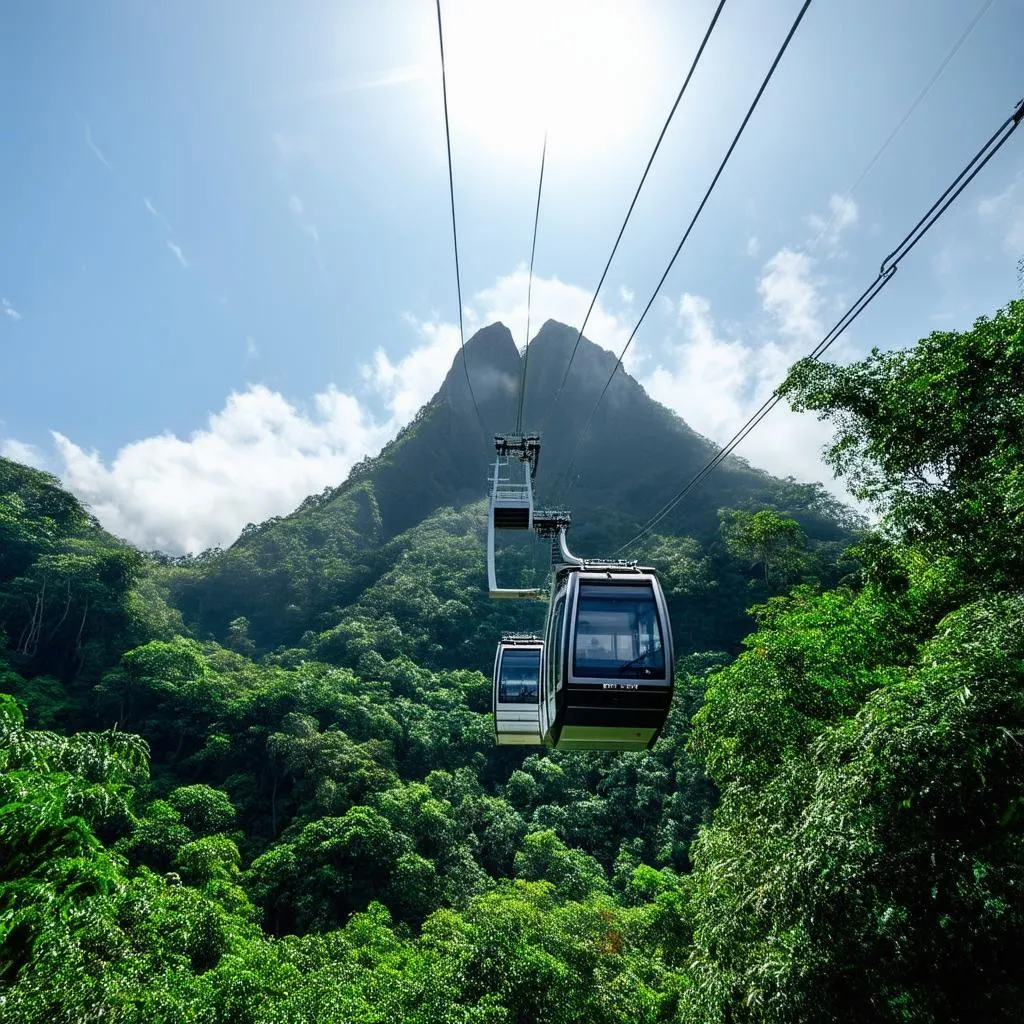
(873, 873)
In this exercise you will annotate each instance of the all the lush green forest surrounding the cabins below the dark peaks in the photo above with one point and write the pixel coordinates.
(262, 786)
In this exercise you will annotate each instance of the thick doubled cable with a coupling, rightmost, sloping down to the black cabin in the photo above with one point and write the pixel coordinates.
(886, 273)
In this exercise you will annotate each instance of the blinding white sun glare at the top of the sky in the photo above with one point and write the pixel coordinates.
(577, 69)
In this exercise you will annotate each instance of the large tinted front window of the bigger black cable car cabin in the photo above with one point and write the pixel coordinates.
(619, 634)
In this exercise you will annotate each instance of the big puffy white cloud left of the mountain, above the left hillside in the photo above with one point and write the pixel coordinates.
(259, 457)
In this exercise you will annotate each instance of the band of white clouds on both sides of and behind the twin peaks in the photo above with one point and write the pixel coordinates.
(262, 455)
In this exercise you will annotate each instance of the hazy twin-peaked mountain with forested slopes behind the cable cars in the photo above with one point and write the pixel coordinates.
(300, 574)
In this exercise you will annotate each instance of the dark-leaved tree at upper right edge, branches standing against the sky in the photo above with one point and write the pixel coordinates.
(933, 437)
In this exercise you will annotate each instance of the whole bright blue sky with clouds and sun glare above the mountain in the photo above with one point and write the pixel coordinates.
(227, 269)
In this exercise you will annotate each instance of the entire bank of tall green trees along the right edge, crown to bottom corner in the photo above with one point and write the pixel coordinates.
(865, 861)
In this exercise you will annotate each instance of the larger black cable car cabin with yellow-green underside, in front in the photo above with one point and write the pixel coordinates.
(609, 666)
